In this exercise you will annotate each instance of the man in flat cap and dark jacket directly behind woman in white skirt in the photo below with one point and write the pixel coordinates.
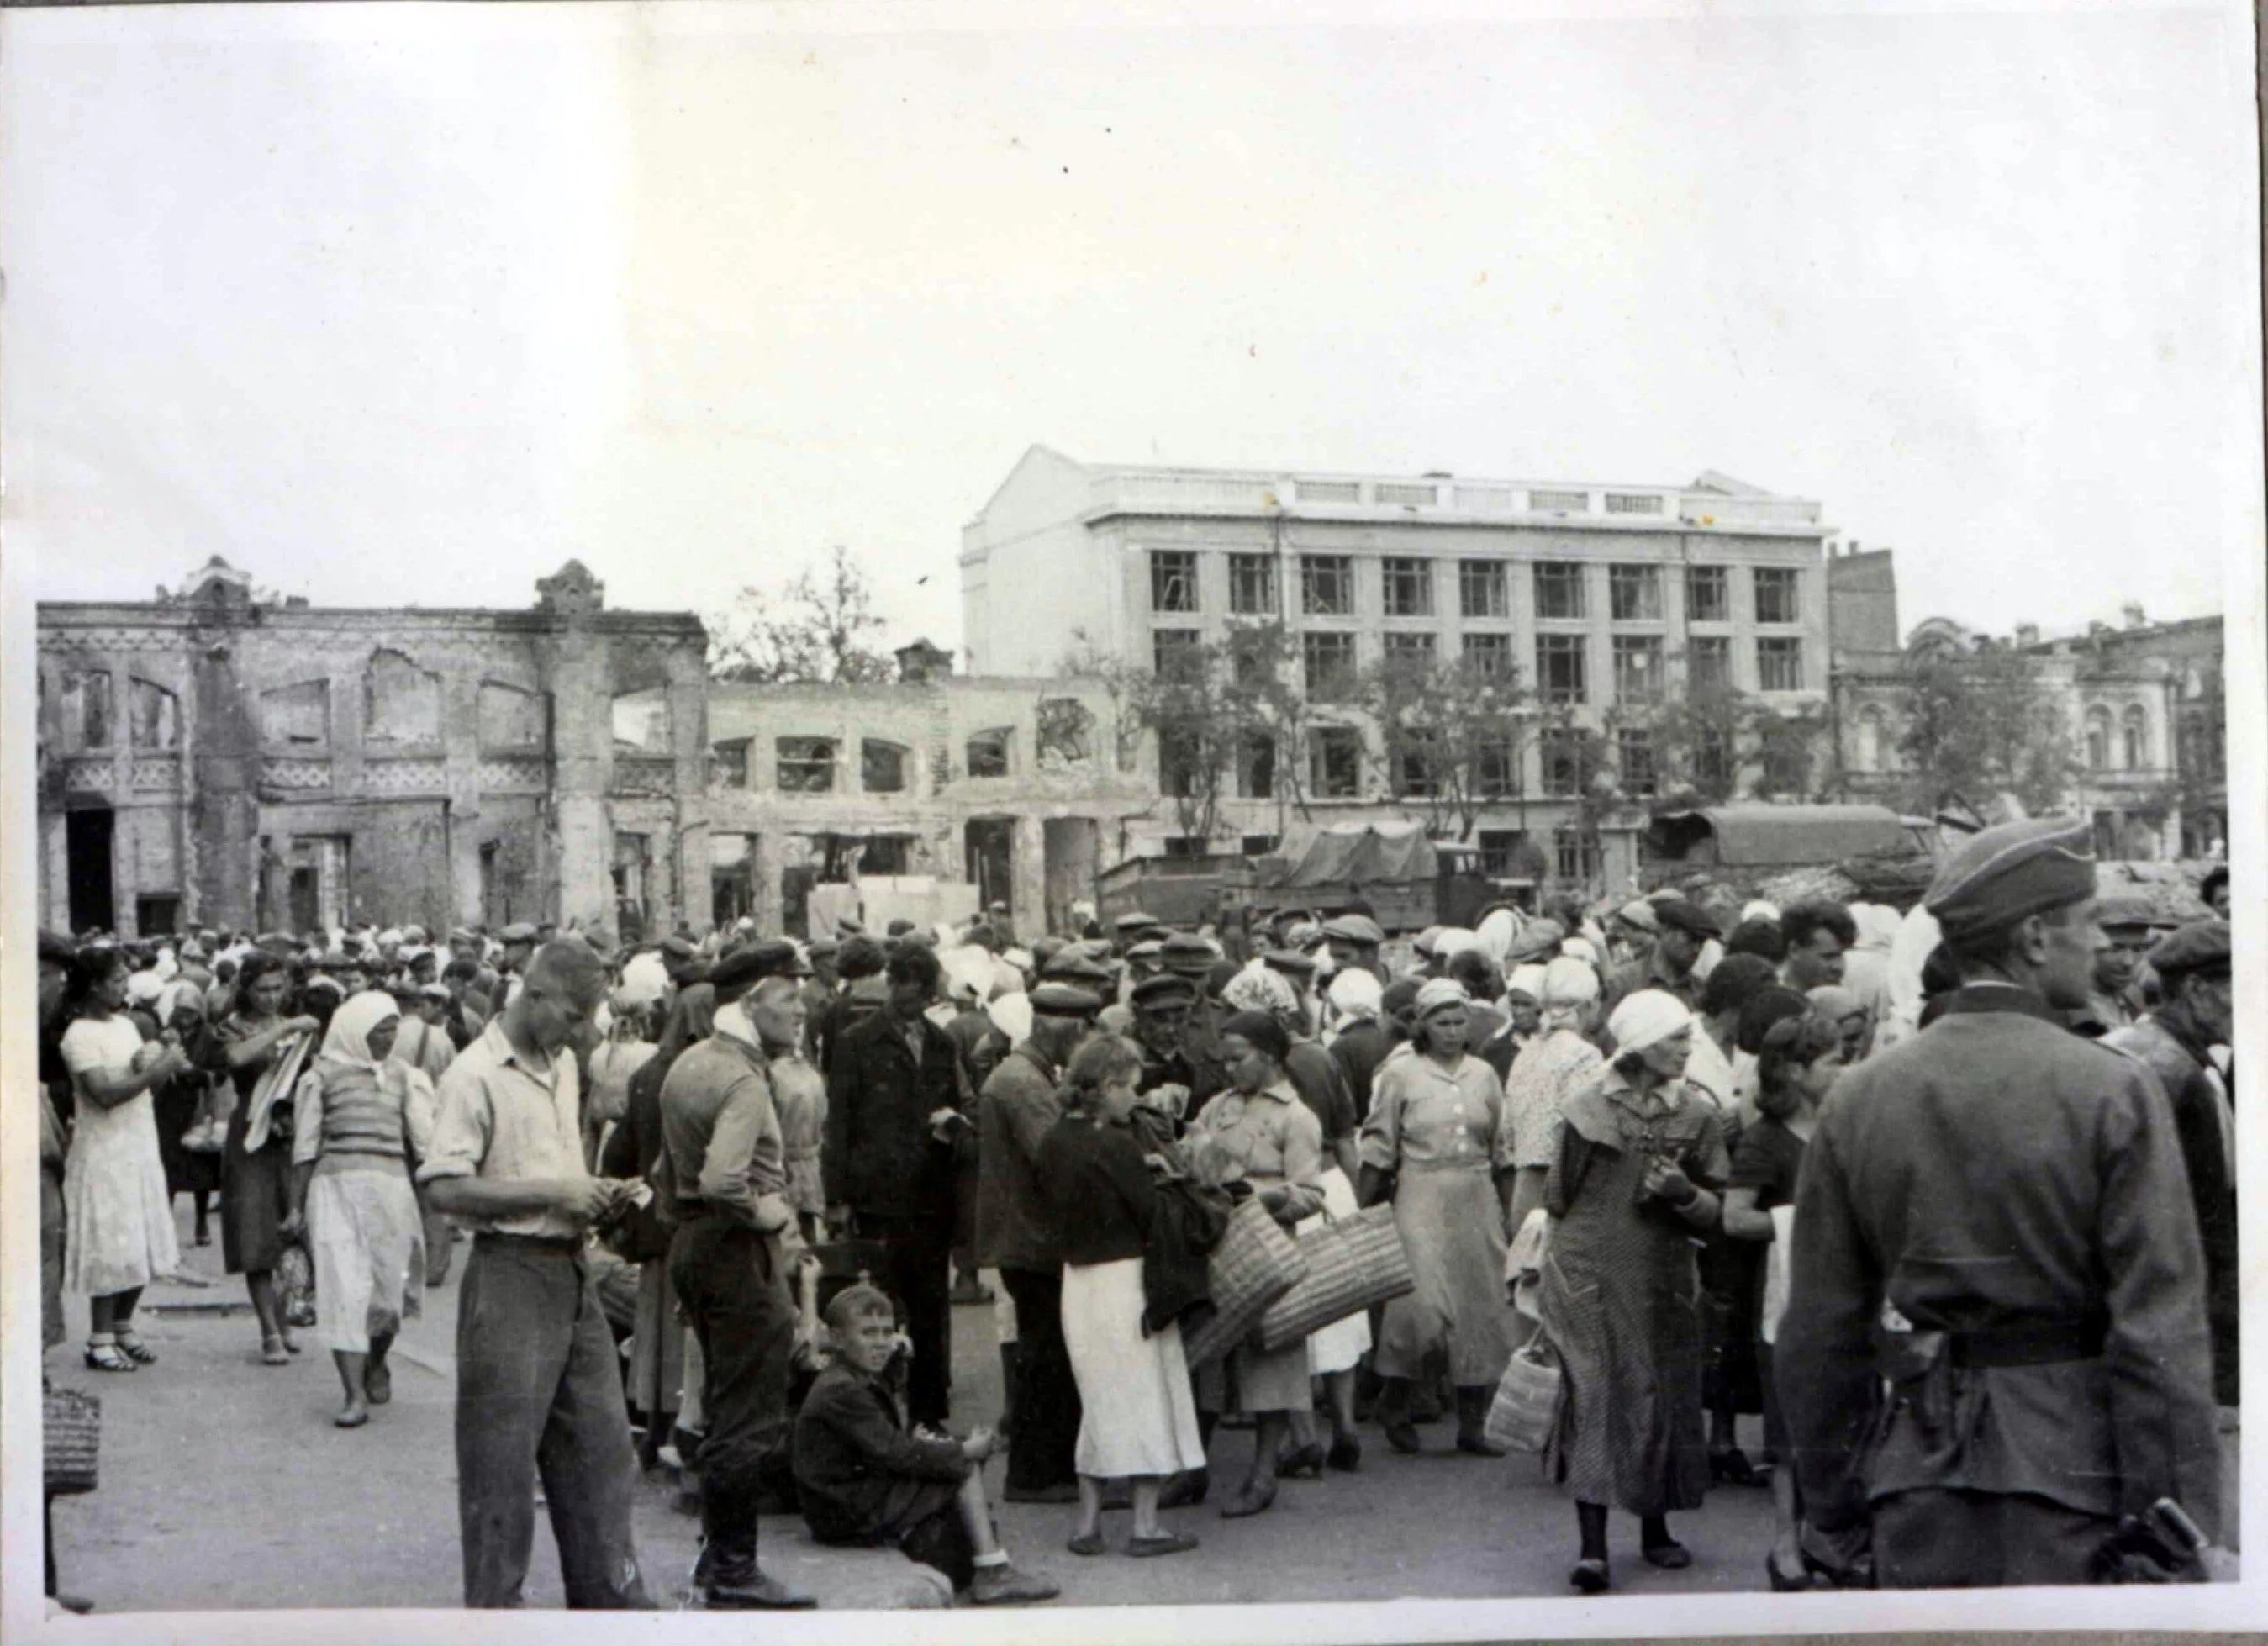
(1017, 1237)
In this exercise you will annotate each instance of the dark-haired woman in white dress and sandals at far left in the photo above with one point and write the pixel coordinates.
(115, 1178)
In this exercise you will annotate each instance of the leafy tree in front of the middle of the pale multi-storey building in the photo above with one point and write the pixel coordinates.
(1453, 738)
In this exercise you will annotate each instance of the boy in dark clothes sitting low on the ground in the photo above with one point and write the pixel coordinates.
(865, 1479)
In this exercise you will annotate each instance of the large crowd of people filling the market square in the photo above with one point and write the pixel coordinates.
(1945, 1196)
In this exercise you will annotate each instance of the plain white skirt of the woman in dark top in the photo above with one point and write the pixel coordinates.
(1137, 1409)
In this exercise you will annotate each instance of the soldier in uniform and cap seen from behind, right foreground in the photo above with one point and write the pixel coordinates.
(2017, 1196)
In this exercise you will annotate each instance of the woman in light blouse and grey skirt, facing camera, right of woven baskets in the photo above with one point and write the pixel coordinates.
(1430, 1146)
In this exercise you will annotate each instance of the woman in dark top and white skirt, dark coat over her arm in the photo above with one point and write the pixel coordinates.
(1137, 1414)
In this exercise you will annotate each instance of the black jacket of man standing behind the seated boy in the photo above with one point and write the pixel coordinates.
(879, 1155)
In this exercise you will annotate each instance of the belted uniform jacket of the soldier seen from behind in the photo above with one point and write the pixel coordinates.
(1992, 1176)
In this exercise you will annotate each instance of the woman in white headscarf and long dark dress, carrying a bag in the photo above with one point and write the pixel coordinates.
(1634, 1178)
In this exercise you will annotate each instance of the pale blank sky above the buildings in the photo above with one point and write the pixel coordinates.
(412, 305)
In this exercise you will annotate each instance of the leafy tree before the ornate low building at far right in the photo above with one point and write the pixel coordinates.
(1983, 724)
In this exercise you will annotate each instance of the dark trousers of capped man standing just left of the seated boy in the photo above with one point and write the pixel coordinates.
(734, 1291)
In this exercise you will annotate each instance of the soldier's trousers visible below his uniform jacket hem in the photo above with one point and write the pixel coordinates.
(1983, 1541)
